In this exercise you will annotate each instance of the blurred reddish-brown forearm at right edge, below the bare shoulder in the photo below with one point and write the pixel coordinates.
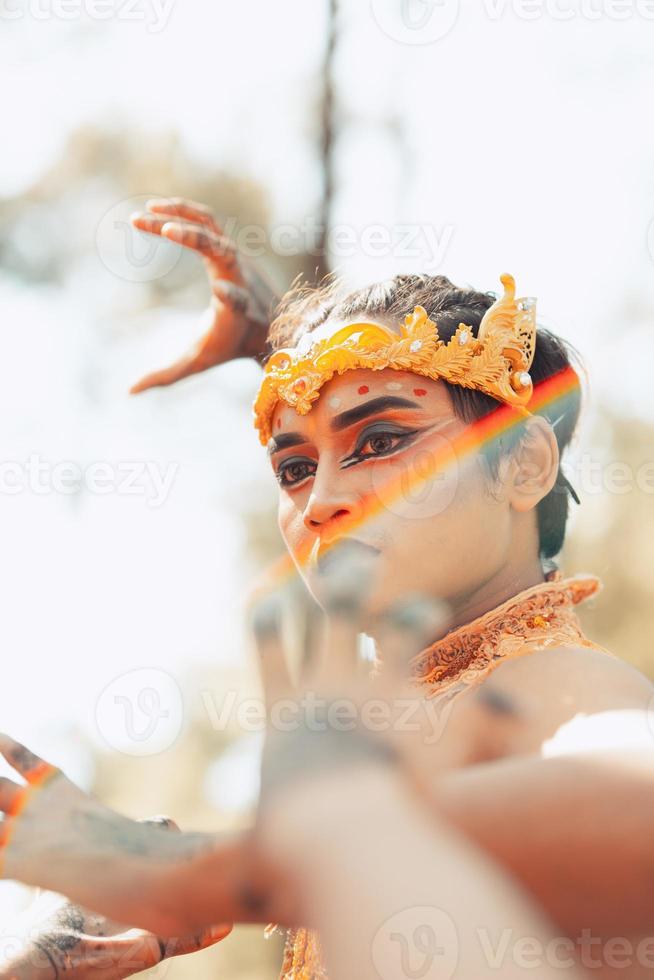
(576, 831)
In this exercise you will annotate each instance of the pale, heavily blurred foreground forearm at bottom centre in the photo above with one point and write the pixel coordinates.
(386, 882)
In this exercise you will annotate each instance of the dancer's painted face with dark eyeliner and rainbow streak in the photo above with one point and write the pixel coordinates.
(378, 462)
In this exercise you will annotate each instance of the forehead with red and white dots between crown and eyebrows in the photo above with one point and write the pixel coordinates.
(354, 387)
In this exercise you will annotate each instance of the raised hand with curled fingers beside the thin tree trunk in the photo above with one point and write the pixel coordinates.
(237, 319)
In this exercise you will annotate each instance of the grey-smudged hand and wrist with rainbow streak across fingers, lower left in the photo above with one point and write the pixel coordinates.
(56, 837)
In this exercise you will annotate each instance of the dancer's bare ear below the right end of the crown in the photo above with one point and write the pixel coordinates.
(534, 465)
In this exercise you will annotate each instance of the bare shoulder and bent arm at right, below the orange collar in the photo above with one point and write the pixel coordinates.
(556, 781)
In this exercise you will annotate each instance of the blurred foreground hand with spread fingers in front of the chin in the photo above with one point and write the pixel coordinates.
(342, 714)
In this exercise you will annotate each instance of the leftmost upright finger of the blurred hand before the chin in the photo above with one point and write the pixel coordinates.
(266, 620)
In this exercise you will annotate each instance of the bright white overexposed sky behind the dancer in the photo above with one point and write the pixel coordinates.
(525, 147)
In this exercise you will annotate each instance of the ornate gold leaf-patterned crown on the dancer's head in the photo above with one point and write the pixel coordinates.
(496, 361)
